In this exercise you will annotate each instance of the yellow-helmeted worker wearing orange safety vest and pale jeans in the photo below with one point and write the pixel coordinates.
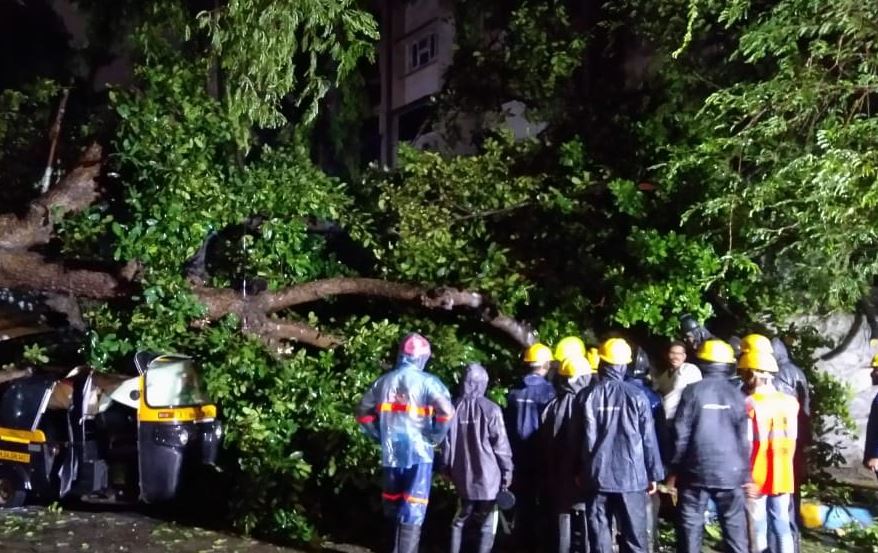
(772, 430)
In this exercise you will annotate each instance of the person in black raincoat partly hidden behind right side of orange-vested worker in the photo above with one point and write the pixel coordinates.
(791, 380)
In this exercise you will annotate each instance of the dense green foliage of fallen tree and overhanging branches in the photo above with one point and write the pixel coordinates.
(732, 180)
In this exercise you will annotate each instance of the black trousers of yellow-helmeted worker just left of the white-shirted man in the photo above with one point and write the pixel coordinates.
(629, 512)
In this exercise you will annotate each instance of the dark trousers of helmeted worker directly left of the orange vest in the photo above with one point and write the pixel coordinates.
(730, 505)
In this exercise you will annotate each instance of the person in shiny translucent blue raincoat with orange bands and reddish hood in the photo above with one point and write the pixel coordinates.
(408, 412)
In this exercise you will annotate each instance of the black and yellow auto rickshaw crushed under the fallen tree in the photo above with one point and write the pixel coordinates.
(89, 434)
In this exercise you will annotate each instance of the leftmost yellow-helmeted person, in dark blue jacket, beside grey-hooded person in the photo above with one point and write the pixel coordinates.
(524, 405)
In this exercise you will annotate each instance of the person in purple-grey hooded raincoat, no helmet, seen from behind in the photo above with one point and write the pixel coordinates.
(477, 457)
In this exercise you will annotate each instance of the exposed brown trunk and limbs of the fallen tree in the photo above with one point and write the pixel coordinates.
(21, 268)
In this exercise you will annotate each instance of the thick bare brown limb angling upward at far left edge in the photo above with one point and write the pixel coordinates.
(76, 191)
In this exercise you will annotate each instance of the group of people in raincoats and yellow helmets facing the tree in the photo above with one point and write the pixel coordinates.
(589, 438)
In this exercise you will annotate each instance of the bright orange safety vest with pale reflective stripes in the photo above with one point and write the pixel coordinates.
(773, 426)
